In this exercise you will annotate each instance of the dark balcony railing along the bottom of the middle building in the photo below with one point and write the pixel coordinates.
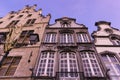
(69, 76)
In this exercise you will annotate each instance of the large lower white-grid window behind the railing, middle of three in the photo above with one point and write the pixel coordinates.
(68, 63)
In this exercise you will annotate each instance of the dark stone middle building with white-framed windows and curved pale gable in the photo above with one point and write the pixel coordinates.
(67, 53)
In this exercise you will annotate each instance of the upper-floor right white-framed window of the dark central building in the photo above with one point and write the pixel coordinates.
(82, 37)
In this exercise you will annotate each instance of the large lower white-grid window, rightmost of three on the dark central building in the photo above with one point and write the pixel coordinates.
(90, 64)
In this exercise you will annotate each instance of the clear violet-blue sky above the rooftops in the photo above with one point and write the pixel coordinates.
(85, 12)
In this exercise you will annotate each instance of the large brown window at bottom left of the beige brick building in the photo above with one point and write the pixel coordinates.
(9, 66)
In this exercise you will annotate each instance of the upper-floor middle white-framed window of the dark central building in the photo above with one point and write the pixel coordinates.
(66, 38)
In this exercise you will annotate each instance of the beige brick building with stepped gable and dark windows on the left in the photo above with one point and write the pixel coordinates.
(20, 38)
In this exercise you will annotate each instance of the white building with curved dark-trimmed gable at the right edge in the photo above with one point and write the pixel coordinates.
(107, 43)
